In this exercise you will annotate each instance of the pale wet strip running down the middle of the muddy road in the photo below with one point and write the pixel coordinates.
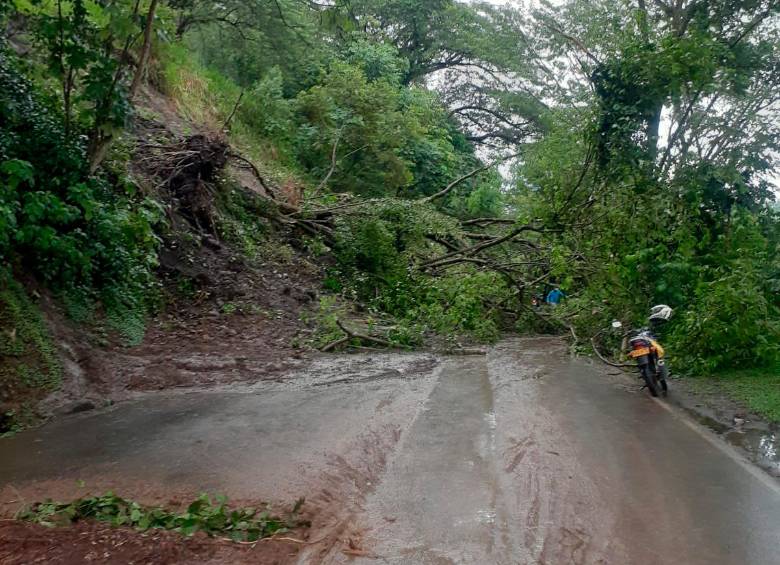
(439, 500)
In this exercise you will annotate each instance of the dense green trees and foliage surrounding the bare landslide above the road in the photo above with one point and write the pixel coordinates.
(455, 158)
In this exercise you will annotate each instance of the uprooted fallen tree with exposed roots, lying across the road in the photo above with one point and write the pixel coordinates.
(433, 244)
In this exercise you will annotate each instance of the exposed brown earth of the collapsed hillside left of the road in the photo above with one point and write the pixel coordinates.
(231, 303)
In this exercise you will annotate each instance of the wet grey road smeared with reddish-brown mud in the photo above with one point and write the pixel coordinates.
(523, 456)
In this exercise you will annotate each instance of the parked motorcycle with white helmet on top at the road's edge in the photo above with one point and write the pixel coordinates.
(644, 348)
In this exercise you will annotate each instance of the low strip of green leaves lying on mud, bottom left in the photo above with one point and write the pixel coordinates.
(213, 517)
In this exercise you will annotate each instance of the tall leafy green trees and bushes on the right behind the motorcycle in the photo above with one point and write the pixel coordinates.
(644, 220)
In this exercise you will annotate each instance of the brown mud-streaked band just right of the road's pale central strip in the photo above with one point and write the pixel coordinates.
(547, 497)
